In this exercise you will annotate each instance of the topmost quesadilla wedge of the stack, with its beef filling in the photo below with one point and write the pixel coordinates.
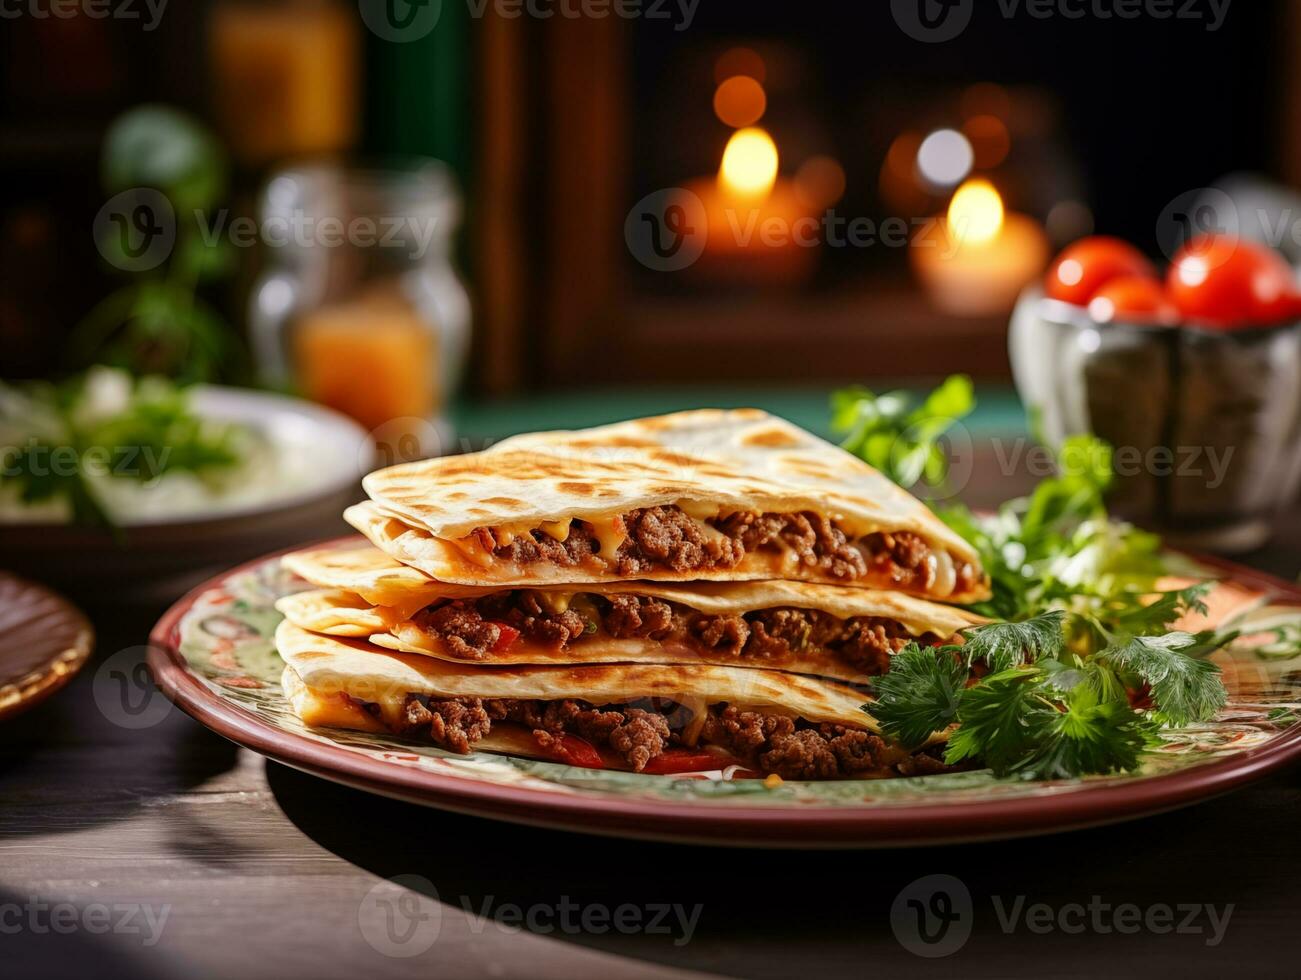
(697, 497)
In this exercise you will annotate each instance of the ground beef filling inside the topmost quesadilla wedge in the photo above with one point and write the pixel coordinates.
(665, 538)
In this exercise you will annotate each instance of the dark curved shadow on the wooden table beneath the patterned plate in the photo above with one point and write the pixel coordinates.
(784, 913)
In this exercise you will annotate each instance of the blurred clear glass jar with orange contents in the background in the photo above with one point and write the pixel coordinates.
(360, 306)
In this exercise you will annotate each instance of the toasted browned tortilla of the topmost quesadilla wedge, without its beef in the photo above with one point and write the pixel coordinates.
(708, 463)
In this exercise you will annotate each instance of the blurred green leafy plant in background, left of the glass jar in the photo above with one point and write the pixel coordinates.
(158, 323)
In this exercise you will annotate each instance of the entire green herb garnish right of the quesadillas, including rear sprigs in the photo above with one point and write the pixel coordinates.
(1080, 670)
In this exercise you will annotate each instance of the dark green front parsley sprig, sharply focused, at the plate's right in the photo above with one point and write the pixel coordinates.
(1044, 711)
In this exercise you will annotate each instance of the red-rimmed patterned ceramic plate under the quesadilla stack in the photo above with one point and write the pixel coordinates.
(214, 655)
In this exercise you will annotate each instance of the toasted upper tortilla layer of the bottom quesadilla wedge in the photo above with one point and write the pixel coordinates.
(329, 667)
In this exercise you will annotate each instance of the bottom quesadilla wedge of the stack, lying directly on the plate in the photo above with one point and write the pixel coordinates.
(625, 716)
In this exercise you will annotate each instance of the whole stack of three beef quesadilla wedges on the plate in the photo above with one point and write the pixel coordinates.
(697, 592)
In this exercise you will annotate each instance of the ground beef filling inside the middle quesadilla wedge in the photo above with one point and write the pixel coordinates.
(473, 631)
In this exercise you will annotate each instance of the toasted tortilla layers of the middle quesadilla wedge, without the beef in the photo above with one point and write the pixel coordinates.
(342, 614)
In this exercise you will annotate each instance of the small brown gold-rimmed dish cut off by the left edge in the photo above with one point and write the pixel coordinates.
(45, 641)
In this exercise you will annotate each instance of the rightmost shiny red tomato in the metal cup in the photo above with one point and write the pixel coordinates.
(1231, 283)
